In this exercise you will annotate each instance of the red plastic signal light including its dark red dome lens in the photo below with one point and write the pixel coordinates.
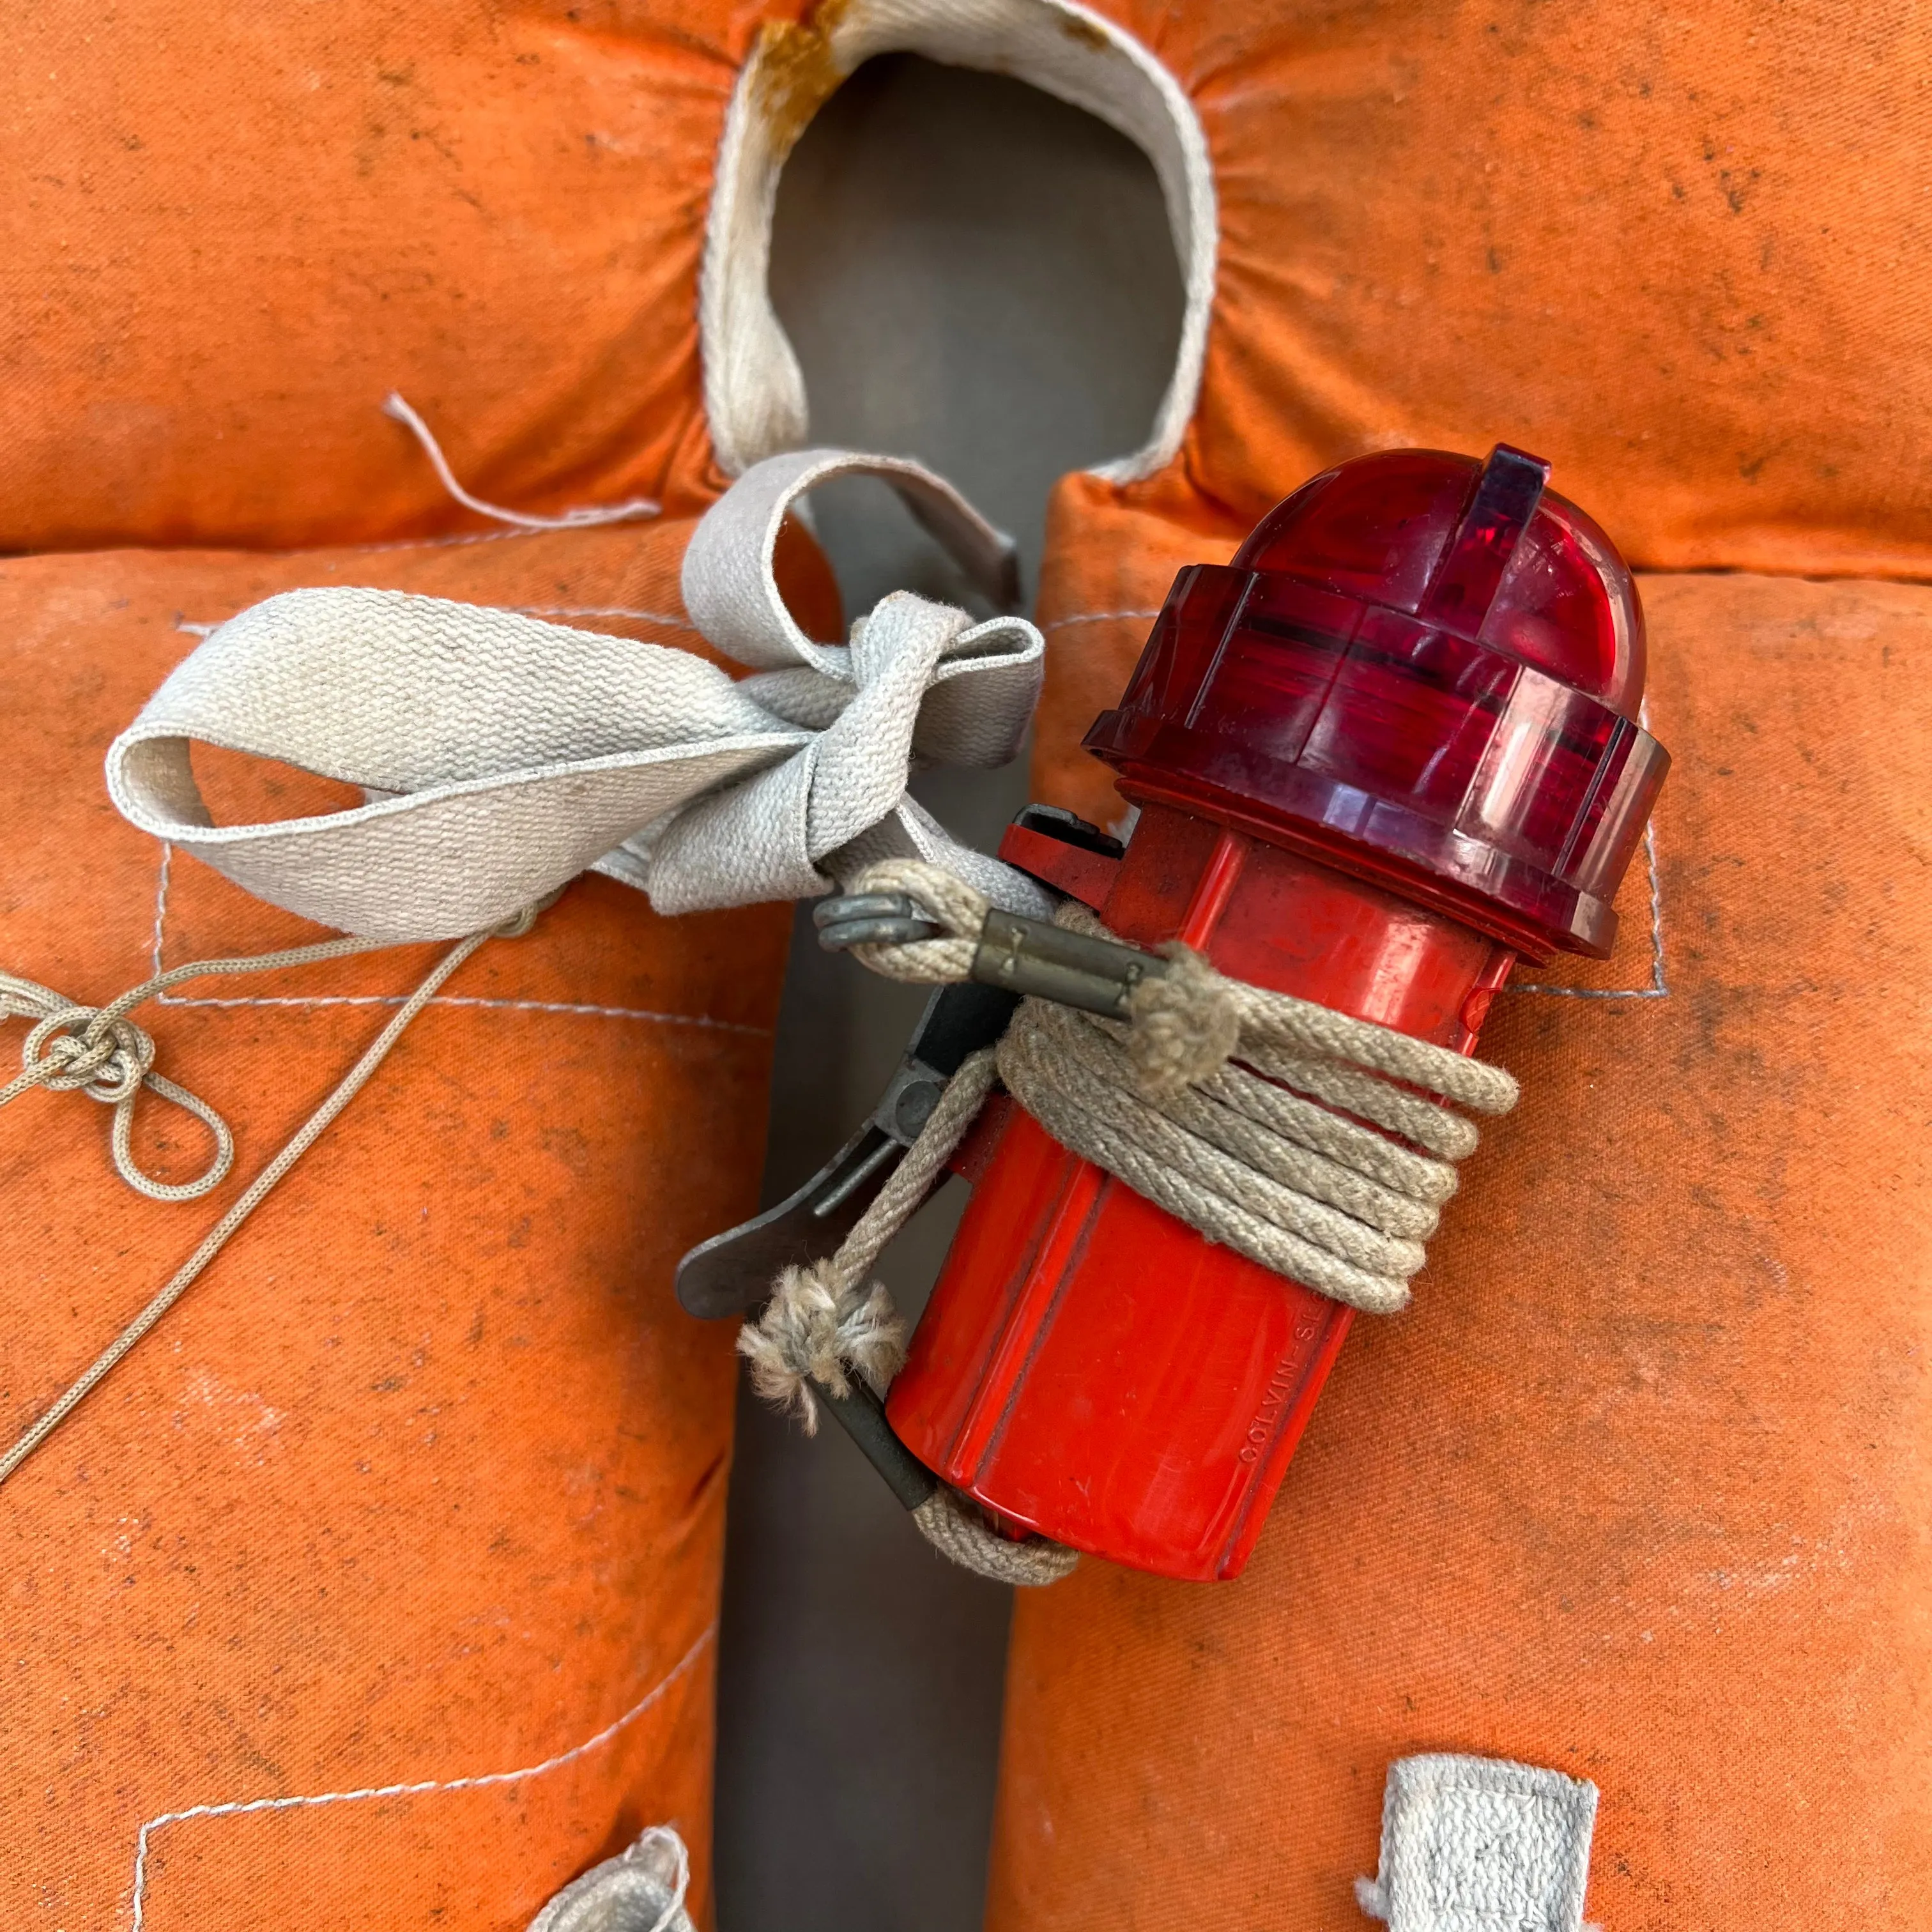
(1386, 751)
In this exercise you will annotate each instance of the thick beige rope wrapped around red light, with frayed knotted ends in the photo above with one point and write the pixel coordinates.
(1295, 1135)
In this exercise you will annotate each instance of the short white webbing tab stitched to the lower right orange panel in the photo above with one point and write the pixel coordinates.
(1481, 1846)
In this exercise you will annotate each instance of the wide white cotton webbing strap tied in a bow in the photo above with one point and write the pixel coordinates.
(501, 756)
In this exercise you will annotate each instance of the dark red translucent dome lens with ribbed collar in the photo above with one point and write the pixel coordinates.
(1419, 668)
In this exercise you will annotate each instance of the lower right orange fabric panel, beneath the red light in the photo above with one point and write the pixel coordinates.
(1641, 1487)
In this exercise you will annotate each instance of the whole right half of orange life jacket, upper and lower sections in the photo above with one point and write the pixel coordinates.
(1639, 1489)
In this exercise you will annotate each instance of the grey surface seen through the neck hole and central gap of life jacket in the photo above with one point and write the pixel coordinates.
(982, 277)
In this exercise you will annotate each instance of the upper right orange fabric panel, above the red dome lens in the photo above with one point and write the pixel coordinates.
(1682, 252)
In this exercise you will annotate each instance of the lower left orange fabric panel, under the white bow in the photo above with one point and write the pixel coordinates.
(378, 1585)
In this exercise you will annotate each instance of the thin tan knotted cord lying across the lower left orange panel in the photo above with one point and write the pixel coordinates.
(258, 1191)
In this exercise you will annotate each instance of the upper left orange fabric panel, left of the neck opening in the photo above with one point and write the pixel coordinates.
(233, 231)
